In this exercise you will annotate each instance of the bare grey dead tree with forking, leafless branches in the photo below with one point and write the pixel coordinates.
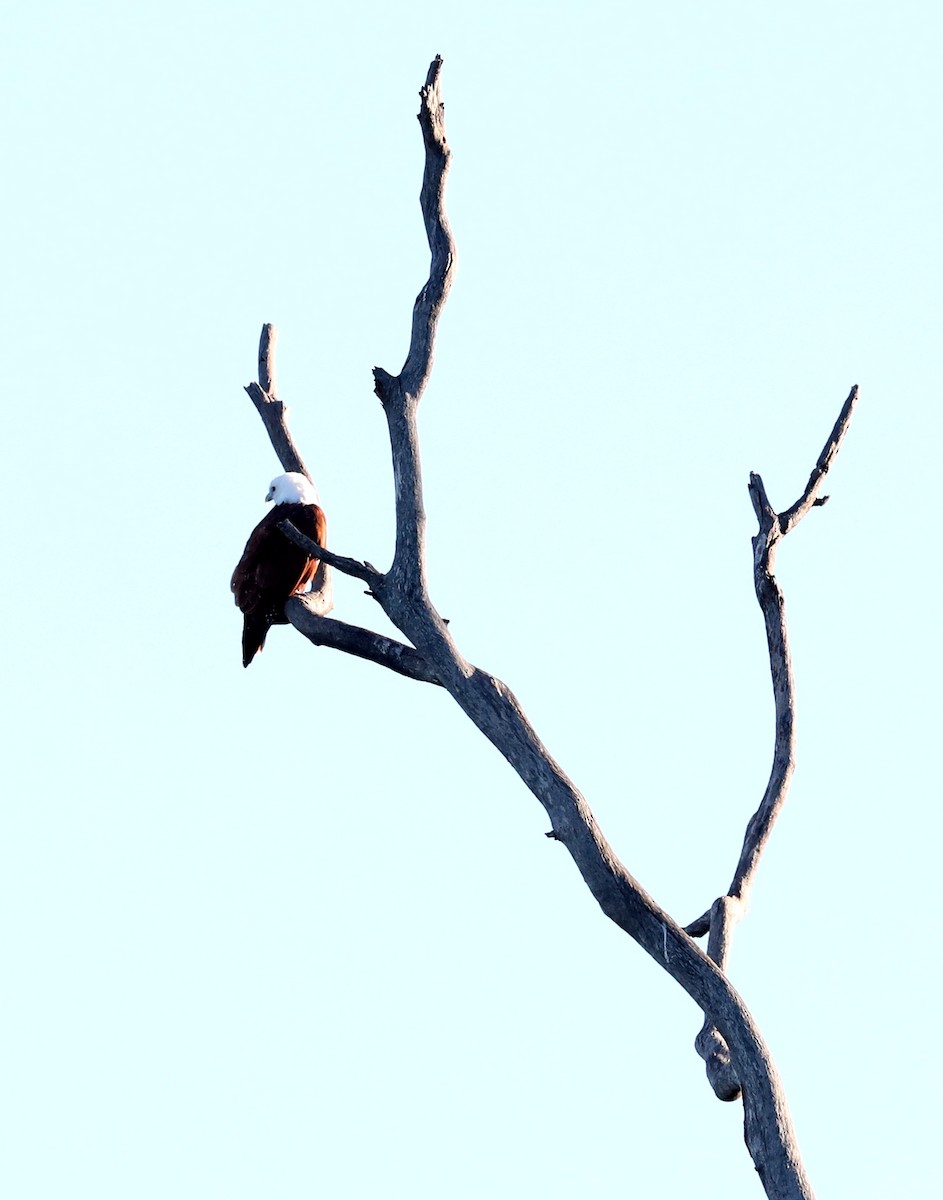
(738, 1063)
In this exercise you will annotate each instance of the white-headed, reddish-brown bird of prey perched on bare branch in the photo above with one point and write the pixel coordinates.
(273, 569)
